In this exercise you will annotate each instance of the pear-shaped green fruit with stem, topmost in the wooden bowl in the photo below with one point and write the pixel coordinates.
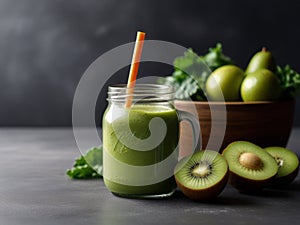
(261, 60)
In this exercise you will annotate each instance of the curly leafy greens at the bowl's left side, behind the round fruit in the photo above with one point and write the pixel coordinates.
(191, 71)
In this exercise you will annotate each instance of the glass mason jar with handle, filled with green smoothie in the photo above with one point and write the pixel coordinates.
(140, 140)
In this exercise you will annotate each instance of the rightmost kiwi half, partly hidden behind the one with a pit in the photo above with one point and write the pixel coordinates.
(288, 165)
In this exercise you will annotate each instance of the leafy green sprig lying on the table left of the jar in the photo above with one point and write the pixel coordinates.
(88, 166)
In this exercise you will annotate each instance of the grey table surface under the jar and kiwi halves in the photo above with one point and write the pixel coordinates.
(34, 190)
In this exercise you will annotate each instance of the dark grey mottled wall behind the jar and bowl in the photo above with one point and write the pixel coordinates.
(46, 45)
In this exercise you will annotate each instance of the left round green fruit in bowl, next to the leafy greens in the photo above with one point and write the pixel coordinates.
(224, 83)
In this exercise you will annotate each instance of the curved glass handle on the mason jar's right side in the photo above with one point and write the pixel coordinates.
(194, 122)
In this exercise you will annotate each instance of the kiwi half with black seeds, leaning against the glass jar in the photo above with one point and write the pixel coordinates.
(203, 175)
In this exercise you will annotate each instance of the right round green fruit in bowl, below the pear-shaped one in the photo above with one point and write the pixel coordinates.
(261, 85)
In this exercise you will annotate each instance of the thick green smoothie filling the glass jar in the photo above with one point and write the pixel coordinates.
(133, 163)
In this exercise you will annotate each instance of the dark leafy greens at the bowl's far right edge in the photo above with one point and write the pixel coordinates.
(289, 81)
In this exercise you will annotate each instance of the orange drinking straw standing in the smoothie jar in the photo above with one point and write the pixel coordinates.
(134, 68)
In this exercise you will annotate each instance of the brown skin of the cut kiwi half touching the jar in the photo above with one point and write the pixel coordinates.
(205, 194)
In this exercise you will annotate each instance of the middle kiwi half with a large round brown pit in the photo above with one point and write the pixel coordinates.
(251, 167)
